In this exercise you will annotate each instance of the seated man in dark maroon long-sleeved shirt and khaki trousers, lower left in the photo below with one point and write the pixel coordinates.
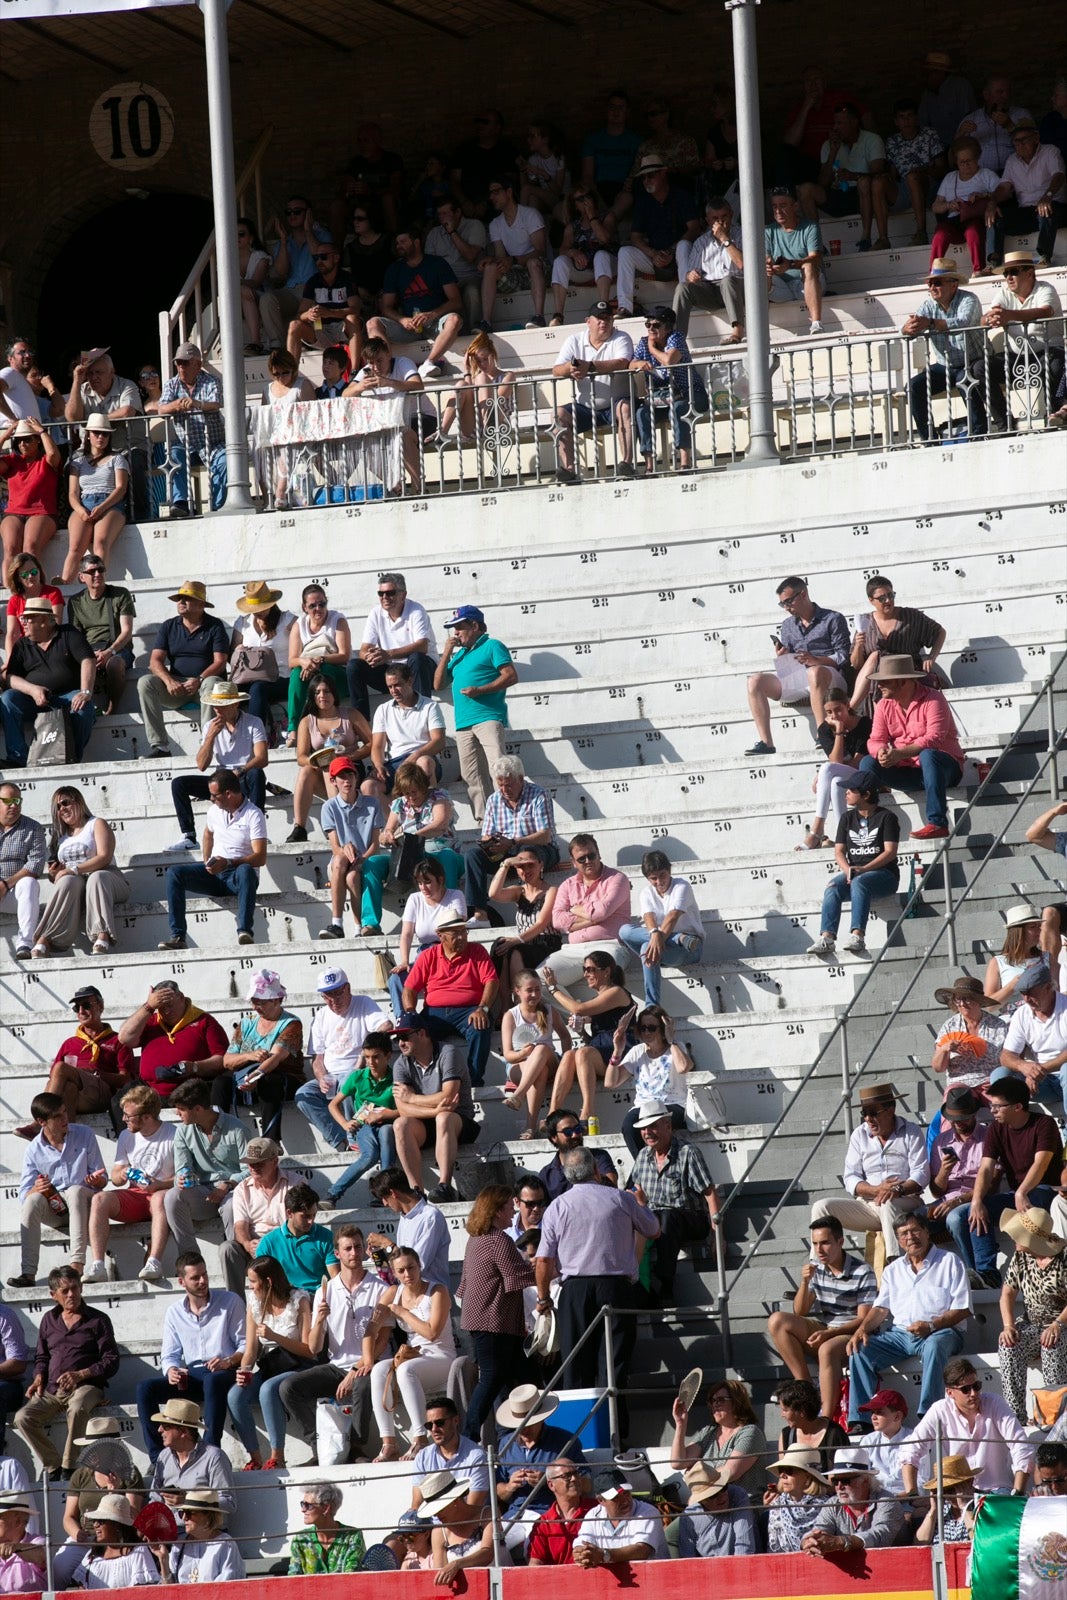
(74, 1361)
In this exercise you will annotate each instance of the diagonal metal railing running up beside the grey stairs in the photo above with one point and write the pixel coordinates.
(1044, 702)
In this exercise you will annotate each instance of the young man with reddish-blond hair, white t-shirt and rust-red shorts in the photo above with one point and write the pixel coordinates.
(142, 1175)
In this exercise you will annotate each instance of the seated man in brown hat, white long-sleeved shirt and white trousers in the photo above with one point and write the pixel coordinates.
(885, 1170)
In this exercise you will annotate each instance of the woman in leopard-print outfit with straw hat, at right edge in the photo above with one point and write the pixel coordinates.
(1039, 1273)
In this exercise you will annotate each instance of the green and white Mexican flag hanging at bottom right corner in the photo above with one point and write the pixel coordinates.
(1021, 1548)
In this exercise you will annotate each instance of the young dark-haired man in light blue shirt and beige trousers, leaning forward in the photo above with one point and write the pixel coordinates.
(62, 1169)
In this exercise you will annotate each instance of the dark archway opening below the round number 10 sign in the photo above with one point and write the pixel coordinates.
(114, 276)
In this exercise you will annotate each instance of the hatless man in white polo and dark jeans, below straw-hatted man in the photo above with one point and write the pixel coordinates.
(234, 850)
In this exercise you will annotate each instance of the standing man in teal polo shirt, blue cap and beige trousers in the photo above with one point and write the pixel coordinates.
(481, 673)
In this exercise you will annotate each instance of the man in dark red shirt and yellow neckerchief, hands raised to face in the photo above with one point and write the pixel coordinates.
(178, 1041)
